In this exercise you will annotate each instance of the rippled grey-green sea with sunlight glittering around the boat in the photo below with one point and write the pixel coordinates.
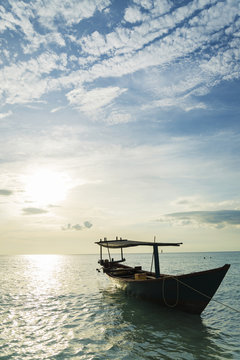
(61, 307)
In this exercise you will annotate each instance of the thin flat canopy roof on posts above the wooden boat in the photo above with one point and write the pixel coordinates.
(122, 243)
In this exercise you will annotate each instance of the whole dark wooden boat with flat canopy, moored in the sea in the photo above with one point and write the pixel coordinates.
(185, 292)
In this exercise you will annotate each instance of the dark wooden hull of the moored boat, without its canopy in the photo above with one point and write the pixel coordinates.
(190, 293)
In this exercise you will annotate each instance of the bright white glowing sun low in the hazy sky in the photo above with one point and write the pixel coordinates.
(45, 186)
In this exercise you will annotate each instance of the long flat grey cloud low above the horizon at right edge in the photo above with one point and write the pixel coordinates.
(217, 219)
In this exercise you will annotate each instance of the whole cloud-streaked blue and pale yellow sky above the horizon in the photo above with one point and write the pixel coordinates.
(119, 118)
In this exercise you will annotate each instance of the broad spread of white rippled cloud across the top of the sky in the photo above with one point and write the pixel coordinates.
(194, 47)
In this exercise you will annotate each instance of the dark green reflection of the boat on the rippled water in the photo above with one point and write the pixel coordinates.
(134, 329)
